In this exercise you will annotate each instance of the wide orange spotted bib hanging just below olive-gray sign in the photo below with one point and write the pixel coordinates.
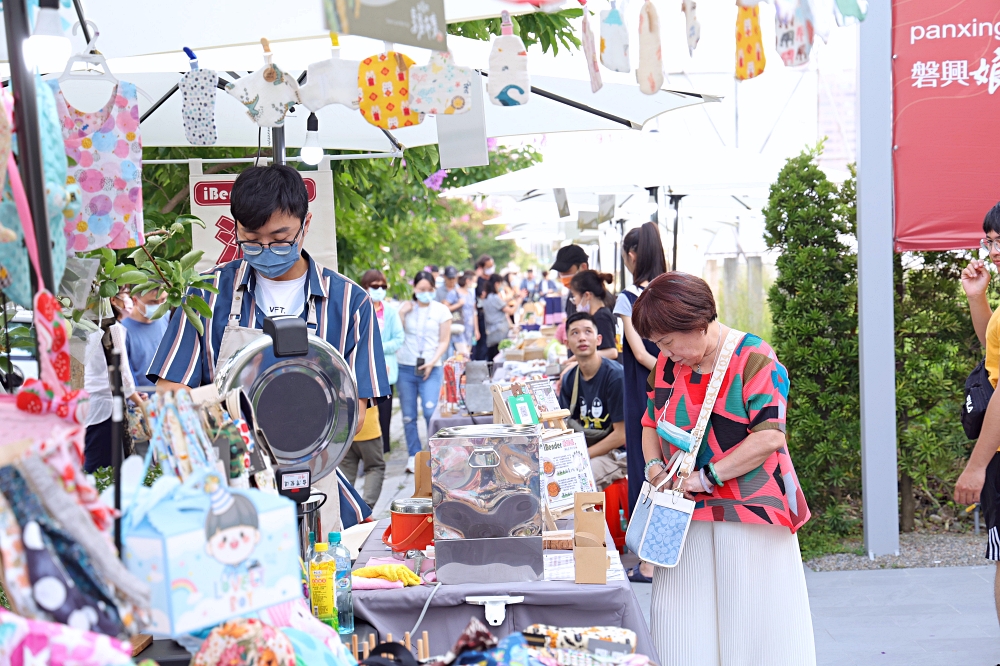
(384, 86)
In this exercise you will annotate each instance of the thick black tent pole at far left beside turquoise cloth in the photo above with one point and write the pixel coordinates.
(18, 29)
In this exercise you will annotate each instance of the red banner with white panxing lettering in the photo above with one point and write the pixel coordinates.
(946, 108)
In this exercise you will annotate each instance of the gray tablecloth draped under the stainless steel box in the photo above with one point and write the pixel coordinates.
(557, 603)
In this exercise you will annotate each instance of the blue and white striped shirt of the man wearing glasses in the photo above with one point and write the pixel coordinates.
(345, 318)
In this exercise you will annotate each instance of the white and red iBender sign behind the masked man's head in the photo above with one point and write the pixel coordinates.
(210, 202)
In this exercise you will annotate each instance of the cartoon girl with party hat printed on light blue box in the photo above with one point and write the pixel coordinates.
(231, 528)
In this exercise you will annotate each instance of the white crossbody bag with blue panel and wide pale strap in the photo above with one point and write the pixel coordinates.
(660, 520)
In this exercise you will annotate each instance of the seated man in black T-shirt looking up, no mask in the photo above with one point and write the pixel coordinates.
(593, 391)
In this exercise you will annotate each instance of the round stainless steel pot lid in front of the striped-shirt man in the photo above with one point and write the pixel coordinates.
(306, 406)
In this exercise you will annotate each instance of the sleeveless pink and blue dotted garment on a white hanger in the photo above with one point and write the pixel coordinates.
(104, 153)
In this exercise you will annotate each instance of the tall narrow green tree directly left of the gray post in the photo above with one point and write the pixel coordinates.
(813, 308)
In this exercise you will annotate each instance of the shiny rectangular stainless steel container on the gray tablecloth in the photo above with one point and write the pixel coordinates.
(487, 503)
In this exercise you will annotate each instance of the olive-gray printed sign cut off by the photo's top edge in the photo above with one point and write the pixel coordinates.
(414, 22)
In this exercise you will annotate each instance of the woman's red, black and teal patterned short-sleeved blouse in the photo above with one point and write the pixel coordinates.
(753, 398)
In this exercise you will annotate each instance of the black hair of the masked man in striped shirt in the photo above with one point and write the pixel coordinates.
(260, 192)
